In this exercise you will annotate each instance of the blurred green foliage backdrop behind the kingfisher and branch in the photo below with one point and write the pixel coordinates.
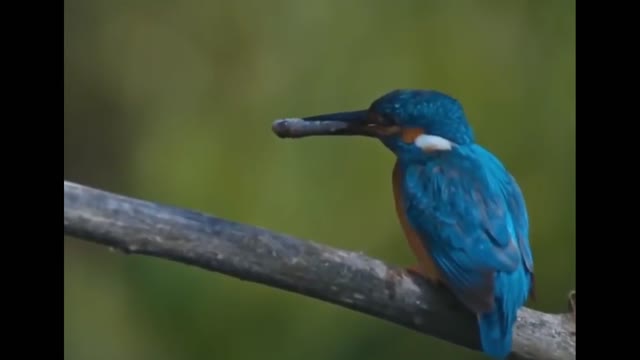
(173, 102)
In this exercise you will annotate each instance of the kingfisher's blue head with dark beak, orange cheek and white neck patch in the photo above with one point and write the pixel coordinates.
(411, 123)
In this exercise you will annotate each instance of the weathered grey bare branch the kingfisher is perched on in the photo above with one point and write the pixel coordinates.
(345, 278)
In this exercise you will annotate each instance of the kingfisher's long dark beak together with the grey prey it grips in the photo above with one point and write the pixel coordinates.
(360, 122)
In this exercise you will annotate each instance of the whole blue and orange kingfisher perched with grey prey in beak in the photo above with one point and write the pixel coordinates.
(462, 212)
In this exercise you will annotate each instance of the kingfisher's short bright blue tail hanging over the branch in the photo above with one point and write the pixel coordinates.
(496, 327)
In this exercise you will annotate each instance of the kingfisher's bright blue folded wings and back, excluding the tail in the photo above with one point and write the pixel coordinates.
(471, 217)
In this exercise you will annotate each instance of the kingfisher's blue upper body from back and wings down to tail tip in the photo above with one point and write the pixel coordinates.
(471, 218)
